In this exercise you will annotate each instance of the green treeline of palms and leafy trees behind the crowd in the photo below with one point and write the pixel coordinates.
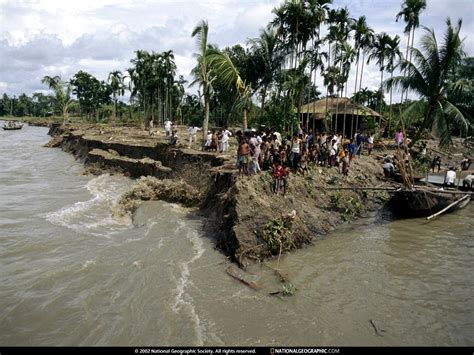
(308, 50)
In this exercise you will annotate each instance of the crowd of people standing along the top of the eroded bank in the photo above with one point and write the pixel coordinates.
(266, 149)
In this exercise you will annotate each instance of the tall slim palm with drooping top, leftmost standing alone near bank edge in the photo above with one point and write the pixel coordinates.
(202, 71)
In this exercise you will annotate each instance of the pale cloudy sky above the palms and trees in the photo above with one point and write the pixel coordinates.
(57, 37)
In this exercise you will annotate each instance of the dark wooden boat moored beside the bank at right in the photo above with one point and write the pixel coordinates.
(422, 202)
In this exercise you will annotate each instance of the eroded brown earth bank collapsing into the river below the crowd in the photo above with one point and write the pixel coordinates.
(245, 218)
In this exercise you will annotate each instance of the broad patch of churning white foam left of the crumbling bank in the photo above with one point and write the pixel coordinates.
(93, 216)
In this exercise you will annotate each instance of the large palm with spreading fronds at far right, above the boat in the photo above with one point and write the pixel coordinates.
(428, 76)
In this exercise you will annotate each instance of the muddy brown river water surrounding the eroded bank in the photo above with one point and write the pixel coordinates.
(72, 275)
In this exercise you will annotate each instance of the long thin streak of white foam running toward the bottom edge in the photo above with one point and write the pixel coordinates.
(181, 298)
